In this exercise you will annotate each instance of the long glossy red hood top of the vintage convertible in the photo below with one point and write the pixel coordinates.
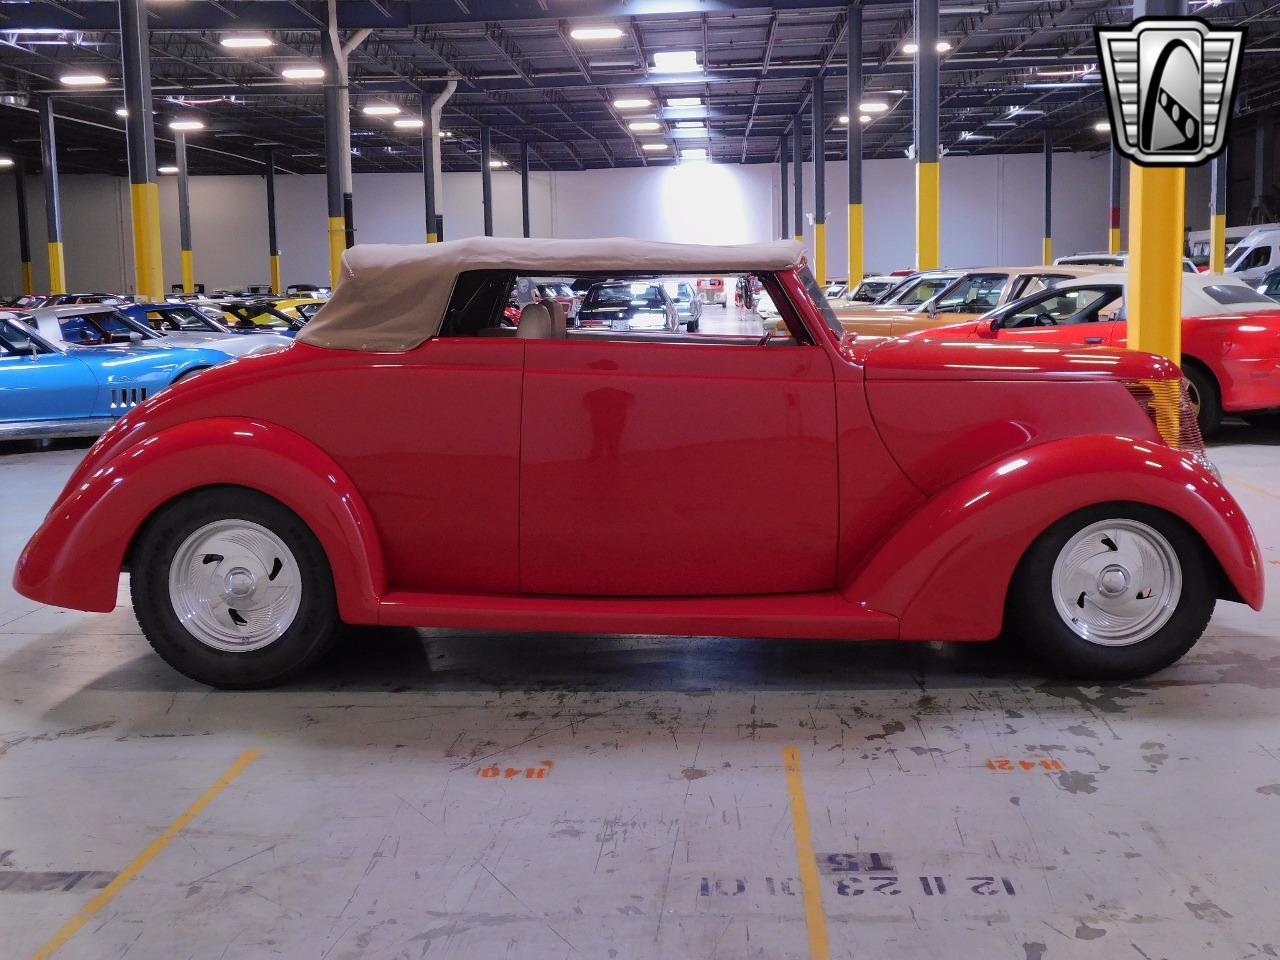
(957, 359)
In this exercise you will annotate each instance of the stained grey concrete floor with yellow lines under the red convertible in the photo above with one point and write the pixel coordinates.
(445, 794)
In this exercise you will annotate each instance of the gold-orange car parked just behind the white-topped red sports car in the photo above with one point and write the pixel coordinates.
(941, 298)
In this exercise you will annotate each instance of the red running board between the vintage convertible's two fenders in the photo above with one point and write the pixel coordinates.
(820, 616)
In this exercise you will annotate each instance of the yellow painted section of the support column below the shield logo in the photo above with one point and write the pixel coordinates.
(1156, 260)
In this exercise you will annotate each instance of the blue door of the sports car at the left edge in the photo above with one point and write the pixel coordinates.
(45, 386)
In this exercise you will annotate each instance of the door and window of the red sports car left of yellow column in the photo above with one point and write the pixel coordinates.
(1075, 316)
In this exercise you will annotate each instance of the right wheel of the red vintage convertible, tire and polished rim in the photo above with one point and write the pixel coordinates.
(1113, 592)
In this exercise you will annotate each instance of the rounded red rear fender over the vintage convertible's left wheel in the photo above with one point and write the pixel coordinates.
(76, 556)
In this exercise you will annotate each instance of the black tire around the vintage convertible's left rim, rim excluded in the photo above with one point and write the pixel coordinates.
(305, 639)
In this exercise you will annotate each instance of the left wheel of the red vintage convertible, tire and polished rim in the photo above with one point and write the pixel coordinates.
(232, 589)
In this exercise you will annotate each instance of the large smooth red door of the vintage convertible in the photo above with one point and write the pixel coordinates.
(705, 467)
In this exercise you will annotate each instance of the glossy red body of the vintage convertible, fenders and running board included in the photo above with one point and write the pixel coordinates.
(518, 484)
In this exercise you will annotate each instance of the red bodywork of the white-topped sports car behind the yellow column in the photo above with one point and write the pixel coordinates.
(1241, 350)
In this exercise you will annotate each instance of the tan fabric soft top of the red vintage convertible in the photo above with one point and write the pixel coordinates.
(392, 298)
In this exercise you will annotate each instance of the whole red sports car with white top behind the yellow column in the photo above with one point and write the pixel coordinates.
(1231, 336)
